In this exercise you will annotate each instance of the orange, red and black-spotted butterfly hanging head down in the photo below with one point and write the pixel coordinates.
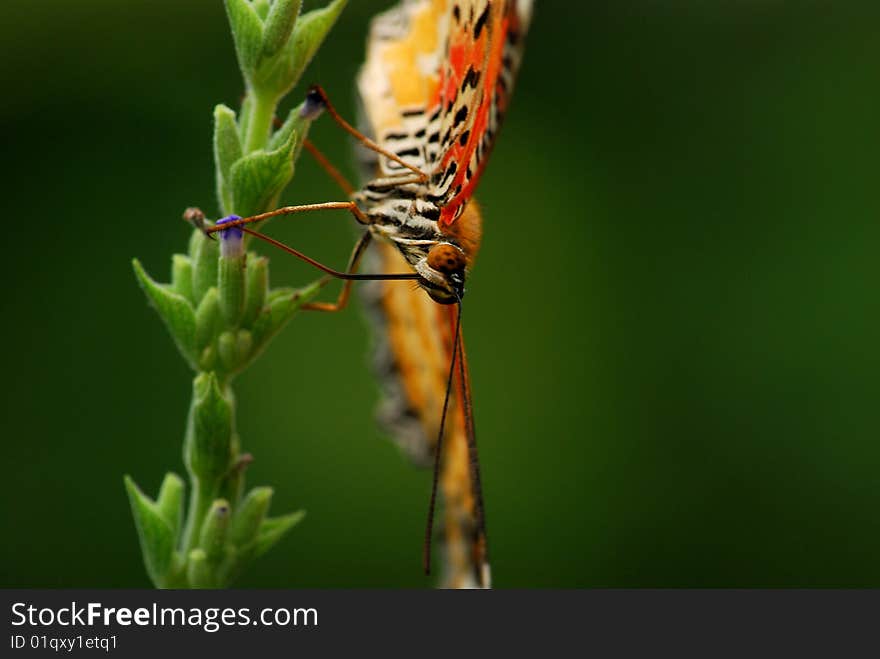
(435, 86)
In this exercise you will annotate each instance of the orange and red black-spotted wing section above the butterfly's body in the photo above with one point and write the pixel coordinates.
(436, 83)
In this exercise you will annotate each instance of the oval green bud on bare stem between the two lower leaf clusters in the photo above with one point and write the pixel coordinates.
(208, 447)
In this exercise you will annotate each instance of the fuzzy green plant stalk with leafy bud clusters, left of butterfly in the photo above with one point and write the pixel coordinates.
(221, 313)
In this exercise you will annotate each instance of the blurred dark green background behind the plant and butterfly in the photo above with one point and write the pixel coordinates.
(673, 327)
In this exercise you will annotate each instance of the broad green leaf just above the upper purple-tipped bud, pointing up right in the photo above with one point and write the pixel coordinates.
(258, 179)
